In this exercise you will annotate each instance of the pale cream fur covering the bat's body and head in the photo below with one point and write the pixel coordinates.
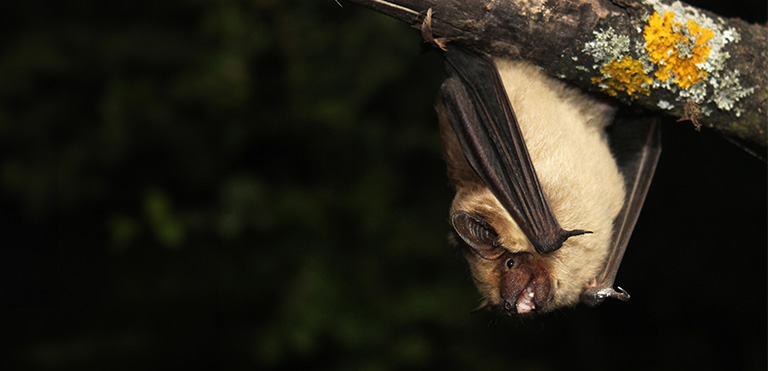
(563, 130)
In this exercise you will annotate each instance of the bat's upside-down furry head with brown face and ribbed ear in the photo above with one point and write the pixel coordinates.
(508, 272)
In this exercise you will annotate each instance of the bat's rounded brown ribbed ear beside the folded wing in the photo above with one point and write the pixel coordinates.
(477, 234)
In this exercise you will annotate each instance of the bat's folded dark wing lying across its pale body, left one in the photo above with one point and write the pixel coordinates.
(490, 137)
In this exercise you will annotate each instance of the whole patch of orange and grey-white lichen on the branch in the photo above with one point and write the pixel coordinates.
(677, 48)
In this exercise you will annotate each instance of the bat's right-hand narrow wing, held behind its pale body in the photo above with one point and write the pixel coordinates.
(636, 147)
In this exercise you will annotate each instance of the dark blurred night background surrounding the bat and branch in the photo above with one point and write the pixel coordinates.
(240, 185)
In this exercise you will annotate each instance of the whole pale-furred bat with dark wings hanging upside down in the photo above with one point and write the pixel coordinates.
(543, 208)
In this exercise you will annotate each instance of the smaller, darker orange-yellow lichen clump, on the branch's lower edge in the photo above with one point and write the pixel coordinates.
(625, 74)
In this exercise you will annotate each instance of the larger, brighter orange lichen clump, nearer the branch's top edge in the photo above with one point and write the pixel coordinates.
(676, 49)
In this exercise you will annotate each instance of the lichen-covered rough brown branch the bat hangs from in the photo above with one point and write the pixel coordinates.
(662, 55)
